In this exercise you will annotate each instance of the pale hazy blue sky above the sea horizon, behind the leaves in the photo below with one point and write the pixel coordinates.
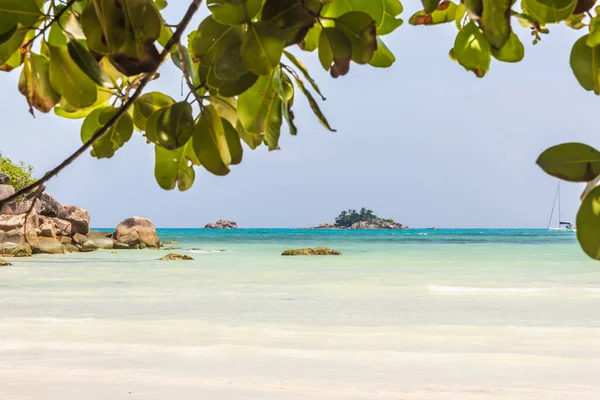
(423, 142)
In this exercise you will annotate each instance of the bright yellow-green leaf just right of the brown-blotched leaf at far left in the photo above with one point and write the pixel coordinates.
(69, 80)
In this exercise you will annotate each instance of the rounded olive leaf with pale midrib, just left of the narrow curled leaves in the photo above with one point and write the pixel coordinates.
(262, 47)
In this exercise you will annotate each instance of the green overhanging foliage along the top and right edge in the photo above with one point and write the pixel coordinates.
(90, 60)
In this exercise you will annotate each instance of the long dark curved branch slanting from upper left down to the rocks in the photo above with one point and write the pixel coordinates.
(143, 82)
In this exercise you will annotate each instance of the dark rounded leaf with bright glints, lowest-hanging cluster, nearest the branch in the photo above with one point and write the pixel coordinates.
(174, 125)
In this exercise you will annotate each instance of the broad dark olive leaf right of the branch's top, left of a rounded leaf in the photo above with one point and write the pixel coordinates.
(212, 39)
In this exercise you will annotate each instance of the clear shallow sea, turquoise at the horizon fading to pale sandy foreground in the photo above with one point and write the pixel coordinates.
(473, 314)
